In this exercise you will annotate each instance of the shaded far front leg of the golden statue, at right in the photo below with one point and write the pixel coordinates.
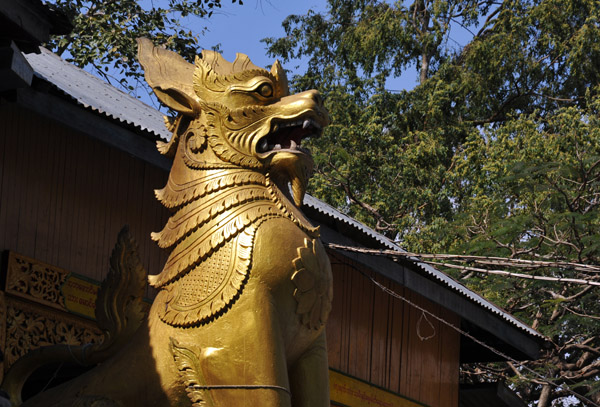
(309, 376)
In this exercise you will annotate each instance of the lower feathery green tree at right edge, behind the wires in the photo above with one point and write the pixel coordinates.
(533, 189)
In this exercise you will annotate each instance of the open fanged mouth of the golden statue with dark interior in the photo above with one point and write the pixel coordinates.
(288, 136)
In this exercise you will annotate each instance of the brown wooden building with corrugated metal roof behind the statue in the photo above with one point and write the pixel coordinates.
(78, 161)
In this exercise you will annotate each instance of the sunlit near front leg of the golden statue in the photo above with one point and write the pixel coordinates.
(238, 359)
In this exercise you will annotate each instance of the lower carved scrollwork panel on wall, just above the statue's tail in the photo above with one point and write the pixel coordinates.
(29, 326)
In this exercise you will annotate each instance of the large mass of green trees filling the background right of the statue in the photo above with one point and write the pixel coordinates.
(495, 152)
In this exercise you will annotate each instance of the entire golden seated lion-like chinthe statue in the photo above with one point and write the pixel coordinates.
(239, 318)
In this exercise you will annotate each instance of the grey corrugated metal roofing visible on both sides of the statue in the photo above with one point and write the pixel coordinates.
(97, 95)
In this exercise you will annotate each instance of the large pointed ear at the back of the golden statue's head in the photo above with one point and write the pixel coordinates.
(170, 76)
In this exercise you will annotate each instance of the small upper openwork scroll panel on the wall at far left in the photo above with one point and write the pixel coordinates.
(33, 279)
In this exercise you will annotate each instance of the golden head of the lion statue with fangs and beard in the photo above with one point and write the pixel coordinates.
(235, 115)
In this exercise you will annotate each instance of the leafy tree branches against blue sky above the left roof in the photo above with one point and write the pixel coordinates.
(104, 33)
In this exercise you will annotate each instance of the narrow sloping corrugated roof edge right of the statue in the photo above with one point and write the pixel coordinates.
(441, 277)
